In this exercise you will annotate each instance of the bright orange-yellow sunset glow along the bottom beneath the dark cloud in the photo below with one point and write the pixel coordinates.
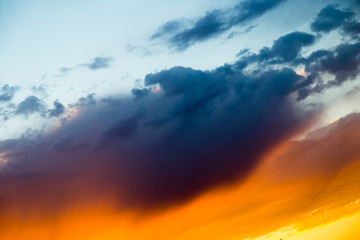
(267, 206)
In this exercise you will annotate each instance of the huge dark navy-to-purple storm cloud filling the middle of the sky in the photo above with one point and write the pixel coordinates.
(193, 131)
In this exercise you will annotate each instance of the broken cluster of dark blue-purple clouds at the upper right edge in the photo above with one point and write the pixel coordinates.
(340, 63)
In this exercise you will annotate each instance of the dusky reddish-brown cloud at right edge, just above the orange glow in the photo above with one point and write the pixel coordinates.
(325, 151)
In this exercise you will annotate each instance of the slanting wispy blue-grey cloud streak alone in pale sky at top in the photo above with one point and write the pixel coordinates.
(213, 23)
